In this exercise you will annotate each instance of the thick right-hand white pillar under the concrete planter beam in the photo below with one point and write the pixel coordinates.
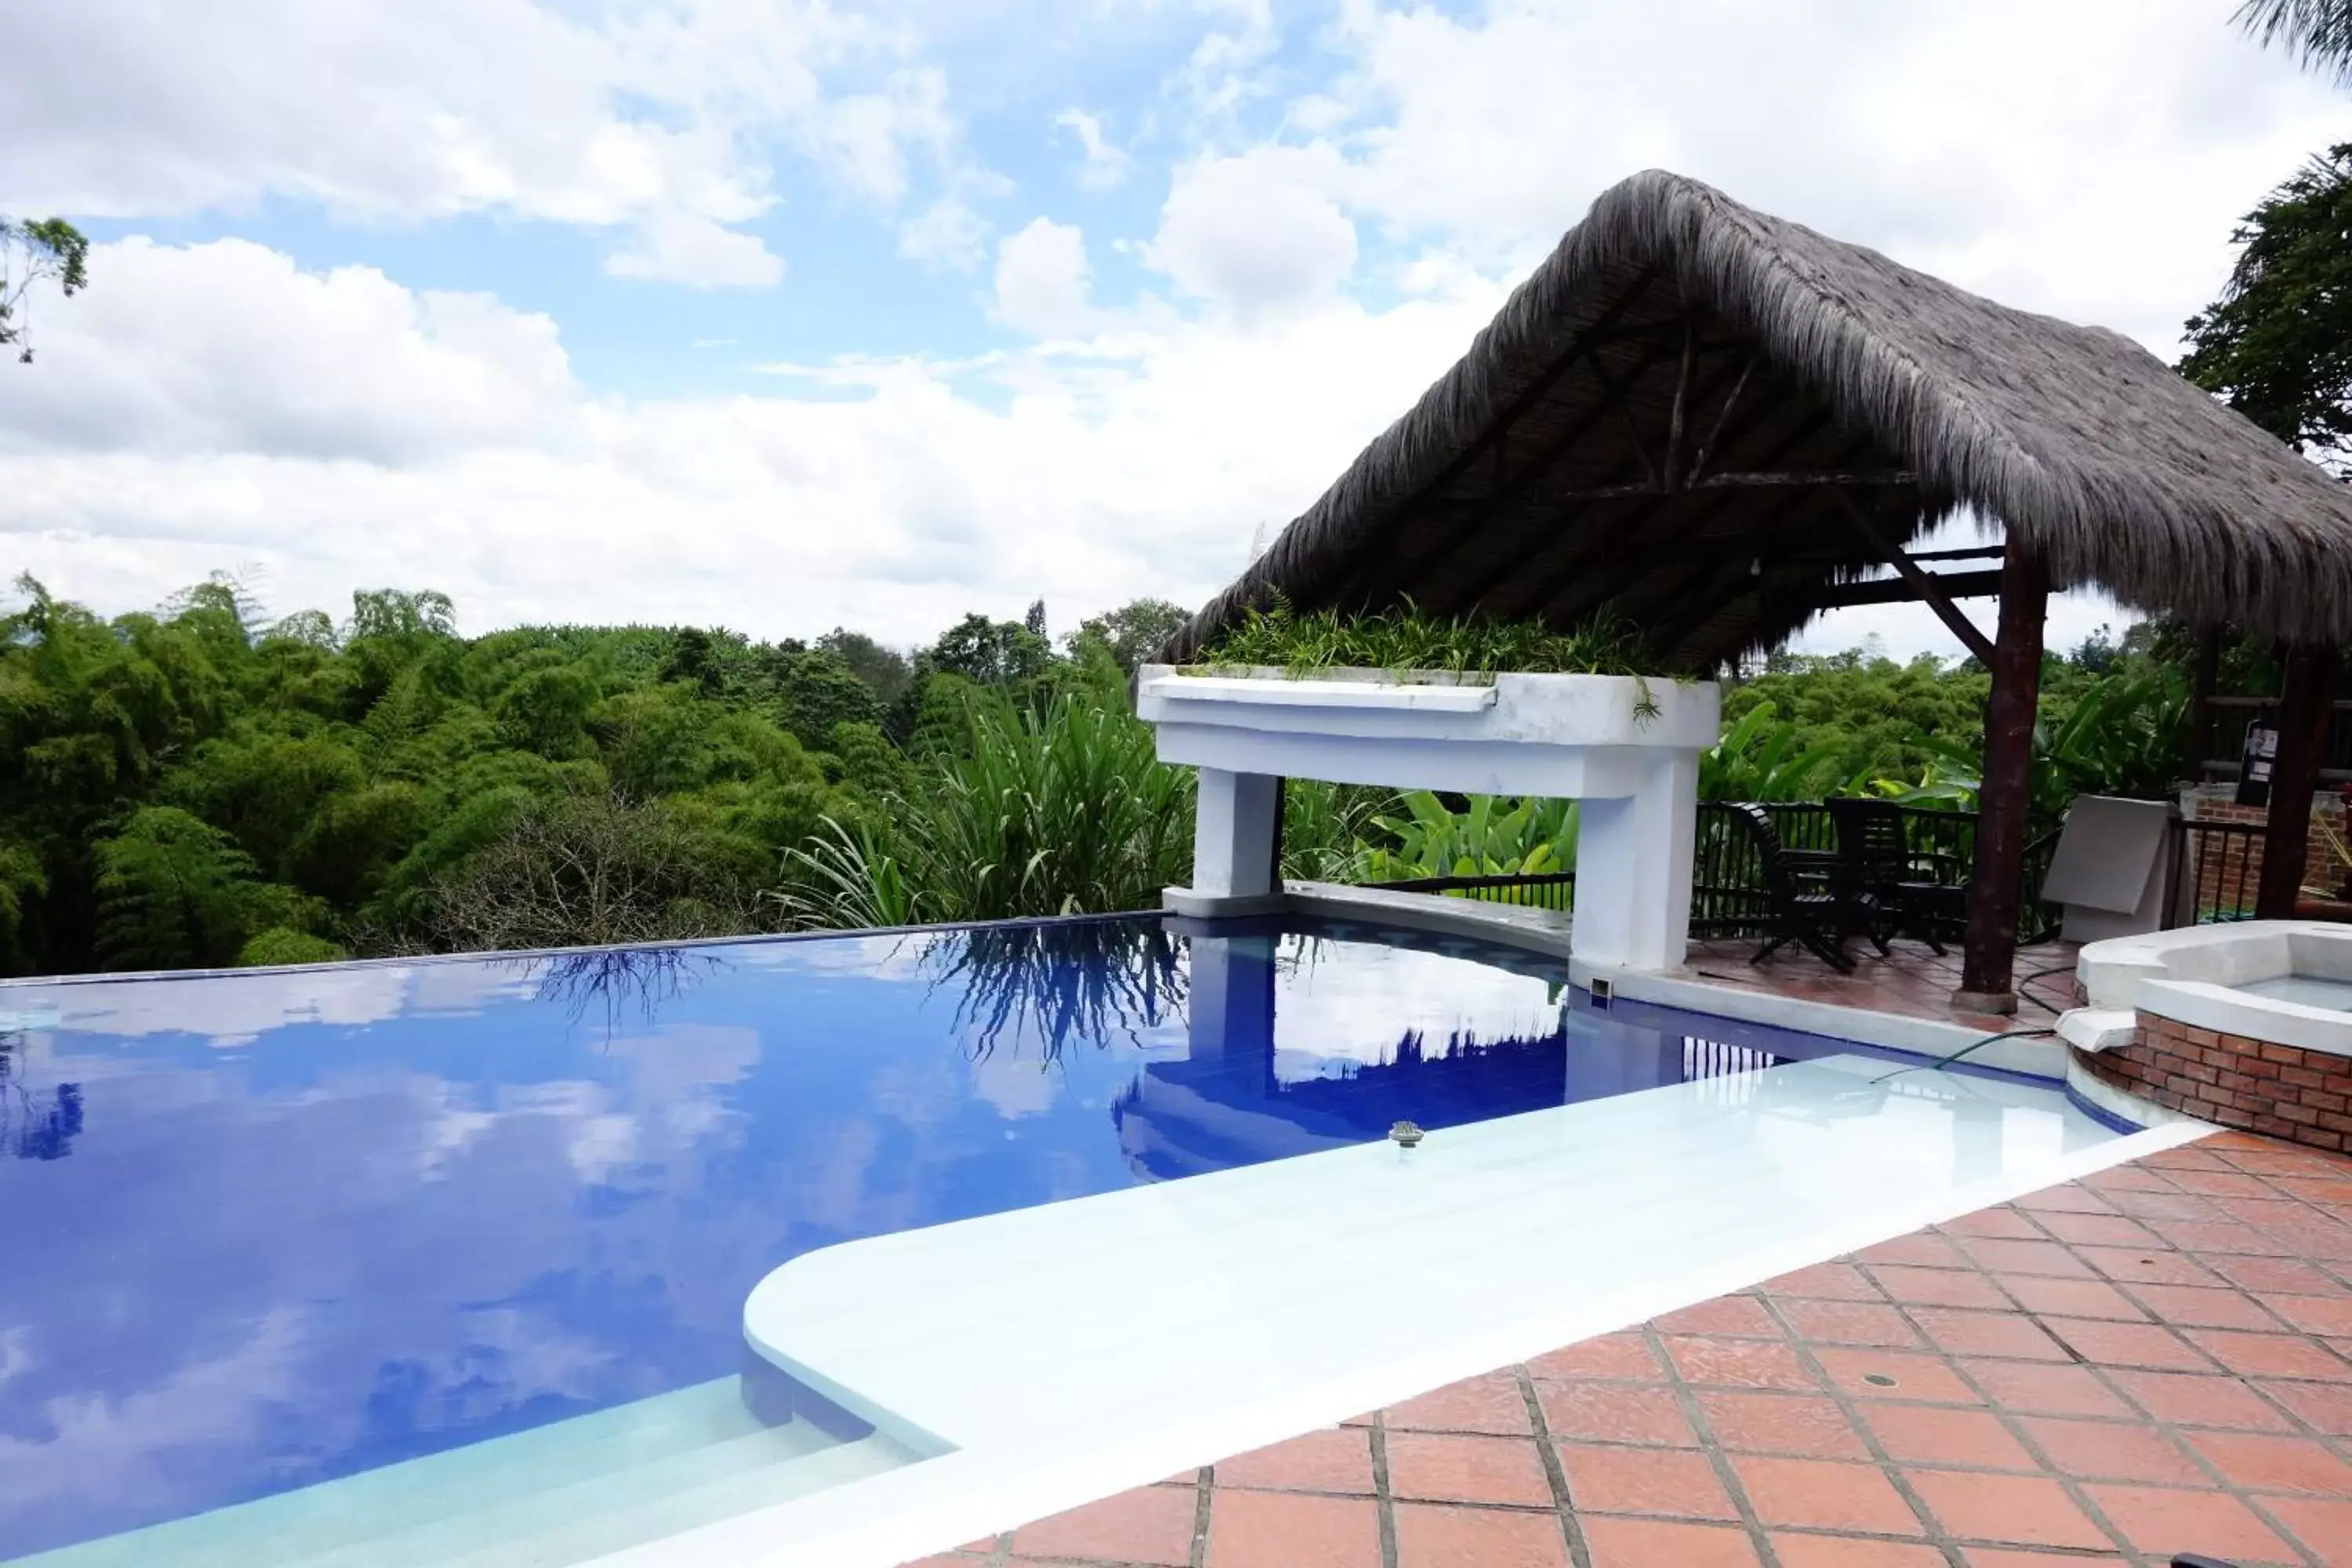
(1633, 869)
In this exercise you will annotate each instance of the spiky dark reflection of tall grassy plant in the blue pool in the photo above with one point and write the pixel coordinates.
(1060, 981)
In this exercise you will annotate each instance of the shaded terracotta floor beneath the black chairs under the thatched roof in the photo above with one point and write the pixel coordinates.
(1913, 981)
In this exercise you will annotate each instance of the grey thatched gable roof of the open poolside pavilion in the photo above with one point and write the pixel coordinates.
(1542, 476)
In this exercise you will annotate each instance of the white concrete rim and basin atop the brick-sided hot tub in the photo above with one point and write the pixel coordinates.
(2287, 981)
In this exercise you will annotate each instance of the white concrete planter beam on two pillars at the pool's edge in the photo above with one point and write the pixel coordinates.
(1624, 746)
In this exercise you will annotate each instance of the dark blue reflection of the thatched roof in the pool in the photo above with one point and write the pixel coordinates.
(1210, 1113)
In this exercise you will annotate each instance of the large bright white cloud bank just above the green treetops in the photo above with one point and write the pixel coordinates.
(387, 436)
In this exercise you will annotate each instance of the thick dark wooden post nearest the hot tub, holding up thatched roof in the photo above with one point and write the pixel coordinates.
(2005, 789)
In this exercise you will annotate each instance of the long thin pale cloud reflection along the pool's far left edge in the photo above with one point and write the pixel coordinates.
(236, 1010)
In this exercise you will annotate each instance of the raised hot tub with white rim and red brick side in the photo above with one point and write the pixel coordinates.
(2247, 1026)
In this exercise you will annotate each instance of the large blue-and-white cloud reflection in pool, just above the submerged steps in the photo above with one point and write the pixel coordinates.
(338, 1285)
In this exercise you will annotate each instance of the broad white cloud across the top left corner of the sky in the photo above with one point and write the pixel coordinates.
(650, 119)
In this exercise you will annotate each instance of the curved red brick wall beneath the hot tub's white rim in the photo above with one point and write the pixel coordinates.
(2231, 1080)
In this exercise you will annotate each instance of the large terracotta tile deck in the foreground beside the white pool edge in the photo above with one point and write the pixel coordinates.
(2153, 1360)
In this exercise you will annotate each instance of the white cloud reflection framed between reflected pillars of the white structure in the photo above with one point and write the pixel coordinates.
(1363, 1007)
